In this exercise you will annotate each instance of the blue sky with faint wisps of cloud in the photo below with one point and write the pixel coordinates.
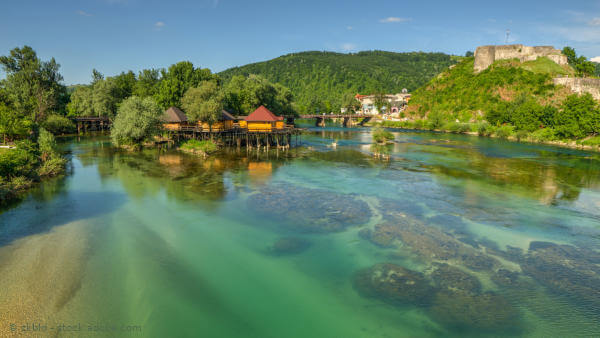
(119, 35)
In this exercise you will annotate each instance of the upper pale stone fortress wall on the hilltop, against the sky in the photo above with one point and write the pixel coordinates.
(486, 55)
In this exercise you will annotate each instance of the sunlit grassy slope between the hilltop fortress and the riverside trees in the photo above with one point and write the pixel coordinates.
(460, 93)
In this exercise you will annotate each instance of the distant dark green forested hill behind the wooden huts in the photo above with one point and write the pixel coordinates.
(322, 78)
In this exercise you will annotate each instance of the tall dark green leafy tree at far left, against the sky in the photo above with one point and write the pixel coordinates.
(32, 86)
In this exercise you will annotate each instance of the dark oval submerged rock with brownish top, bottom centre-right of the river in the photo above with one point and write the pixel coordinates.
(394, 284)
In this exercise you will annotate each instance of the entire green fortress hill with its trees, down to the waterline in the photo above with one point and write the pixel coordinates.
(510, 99)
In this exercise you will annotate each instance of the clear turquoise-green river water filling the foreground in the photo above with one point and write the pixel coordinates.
(482, 237)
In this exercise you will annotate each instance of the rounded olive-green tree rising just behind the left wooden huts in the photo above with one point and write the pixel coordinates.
(204, 103)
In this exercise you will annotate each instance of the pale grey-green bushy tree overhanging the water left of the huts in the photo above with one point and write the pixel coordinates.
(137, 120)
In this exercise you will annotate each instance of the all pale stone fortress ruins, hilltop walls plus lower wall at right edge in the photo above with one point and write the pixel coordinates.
(485, 56)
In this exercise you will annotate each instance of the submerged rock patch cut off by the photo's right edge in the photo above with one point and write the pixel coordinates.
(566, 270)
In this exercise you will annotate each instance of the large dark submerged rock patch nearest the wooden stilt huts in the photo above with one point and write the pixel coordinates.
(310, 210)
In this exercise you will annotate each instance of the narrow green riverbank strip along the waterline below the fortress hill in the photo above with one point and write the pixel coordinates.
(503, 132)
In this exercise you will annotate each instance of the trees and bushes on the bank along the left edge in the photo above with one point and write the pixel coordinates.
(32, 97)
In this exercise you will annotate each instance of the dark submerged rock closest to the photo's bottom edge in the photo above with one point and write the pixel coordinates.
(460, 309)
